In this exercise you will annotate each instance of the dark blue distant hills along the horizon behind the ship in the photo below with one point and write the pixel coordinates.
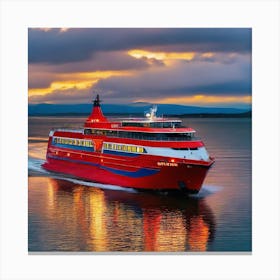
(131, 109)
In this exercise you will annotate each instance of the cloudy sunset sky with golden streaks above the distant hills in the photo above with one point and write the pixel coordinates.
(210, 67)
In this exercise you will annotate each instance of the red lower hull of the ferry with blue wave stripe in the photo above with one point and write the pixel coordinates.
(186, 177)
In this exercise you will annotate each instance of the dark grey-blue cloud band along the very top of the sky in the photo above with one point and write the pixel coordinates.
(73, 45)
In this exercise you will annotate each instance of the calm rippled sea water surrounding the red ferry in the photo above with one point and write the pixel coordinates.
(66, 214)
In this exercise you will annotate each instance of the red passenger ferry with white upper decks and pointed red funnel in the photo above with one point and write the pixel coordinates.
(151, 153)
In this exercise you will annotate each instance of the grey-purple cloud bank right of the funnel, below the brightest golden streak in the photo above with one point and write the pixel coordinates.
(196, 77)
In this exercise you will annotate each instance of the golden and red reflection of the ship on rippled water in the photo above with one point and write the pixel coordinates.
(91, 219)
